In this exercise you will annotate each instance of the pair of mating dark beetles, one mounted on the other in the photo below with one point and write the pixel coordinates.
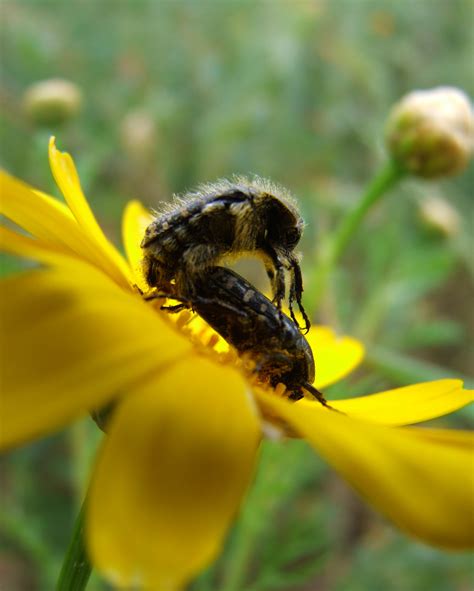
(183, 245)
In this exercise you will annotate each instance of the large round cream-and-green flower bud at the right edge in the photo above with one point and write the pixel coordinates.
(431, 132)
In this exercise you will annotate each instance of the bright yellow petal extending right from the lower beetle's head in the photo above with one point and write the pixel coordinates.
(411, 404)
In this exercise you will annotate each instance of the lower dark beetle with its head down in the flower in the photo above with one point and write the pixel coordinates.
(251, 323)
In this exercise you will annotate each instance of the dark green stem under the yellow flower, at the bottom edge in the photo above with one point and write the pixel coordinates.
(76, 568)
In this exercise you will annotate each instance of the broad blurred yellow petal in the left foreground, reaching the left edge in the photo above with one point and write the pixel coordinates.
(70, 341)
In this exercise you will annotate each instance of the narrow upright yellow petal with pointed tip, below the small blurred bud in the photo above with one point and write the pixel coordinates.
(67, 179)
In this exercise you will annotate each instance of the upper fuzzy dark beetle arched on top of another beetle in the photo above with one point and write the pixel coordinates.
(222, 220)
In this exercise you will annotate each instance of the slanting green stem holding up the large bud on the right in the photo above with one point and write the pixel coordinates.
(386, 179)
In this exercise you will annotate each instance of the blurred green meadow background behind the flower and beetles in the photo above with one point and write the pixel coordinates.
(175, 93)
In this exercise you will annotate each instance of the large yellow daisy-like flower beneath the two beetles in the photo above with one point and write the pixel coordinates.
(182, 443)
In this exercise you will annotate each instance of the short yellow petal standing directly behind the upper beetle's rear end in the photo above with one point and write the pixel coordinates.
(135, 221)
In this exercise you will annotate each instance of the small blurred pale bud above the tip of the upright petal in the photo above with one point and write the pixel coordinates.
(51, 102)
